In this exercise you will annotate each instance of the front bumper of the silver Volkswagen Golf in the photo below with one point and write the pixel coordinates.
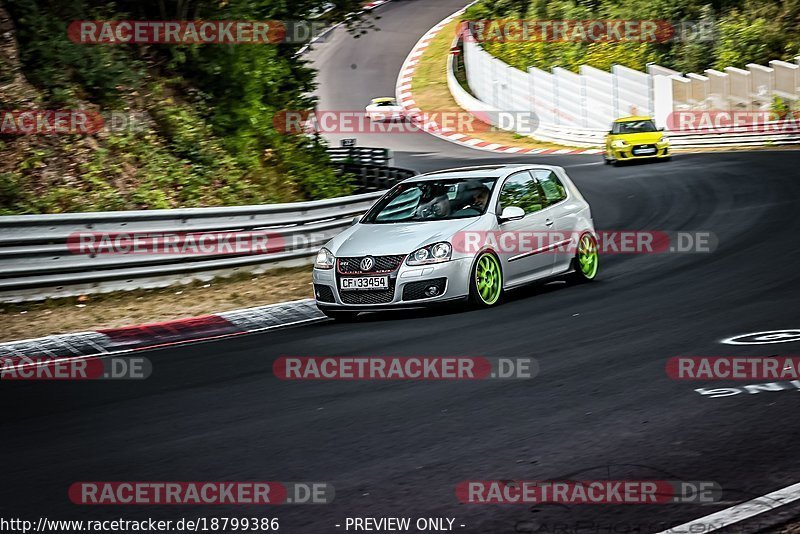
(407, 287)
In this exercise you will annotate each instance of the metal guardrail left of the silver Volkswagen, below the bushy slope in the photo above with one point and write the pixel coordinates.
(39, 258)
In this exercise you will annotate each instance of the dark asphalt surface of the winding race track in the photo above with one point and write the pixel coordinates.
(601, 408)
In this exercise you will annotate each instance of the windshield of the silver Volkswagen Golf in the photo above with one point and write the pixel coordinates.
(432, 200)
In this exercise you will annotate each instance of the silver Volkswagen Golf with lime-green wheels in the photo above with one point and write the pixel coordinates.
(460, 234)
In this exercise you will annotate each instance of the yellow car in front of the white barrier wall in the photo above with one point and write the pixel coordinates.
(632, 138)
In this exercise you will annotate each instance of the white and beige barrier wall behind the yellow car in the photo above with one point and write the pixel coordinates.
(592, 98)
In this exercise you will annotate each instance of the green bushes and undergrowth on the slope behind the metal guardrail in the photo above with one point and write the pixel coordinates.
(211, 140)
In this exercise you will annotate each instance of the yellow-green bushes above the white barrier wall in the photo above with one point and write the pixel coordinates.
(746, 31)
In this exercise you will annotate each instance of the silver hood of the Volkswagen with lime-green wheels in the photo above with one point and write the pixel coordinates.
(395, 238)
